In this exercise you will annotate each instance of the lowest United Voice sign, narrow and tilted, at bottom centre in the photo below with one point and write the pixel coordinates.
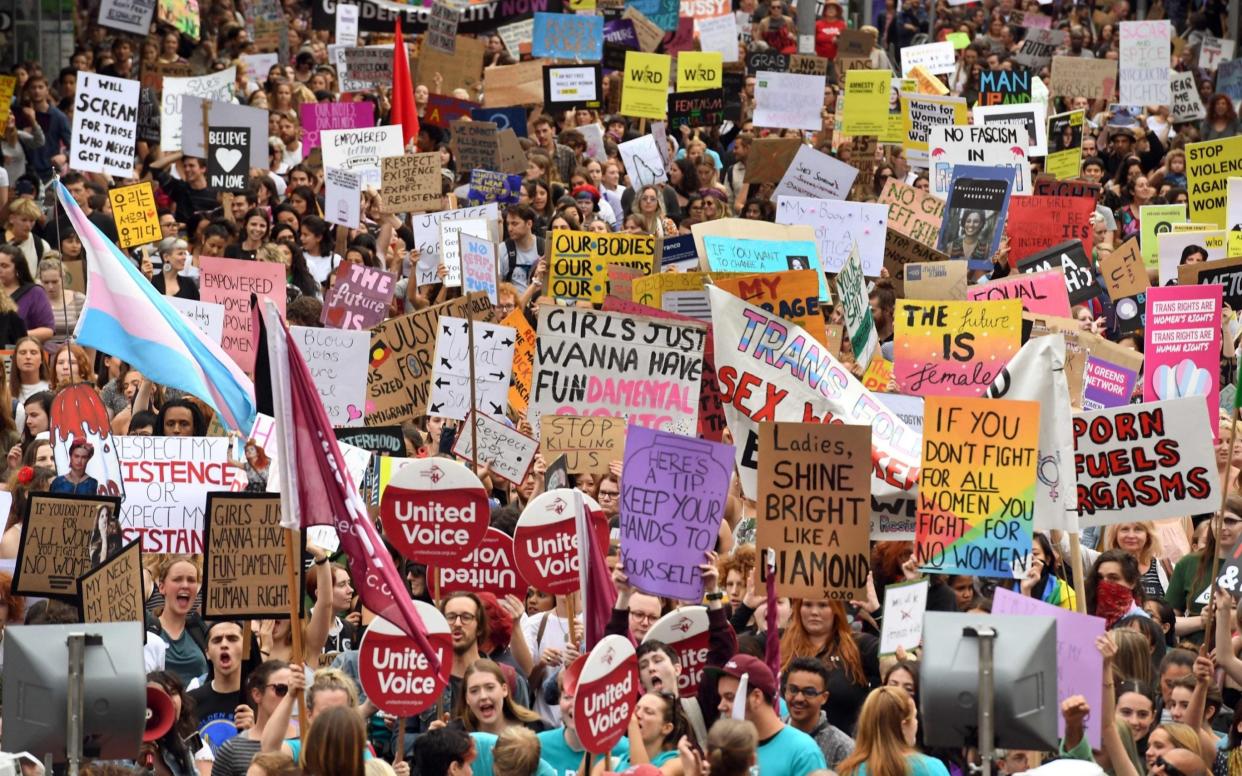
(608, 692)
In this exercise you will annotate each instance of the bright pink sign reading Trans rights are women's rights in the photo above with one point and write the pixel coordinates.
(1183, 346)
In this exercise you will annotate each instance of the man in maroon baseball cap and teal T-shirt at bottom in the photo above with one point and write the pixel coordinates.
(783, 751)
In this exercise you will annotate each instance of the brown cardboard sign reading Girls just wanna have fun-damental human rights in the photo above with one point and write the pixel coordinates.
(245, 568)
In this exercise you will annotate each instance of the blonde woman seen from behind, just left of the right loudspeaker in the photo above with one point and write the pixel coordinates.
(885, 739)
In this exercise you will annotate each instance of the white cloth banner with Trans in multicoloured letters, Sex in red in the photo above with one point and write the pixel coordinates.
(756, 389)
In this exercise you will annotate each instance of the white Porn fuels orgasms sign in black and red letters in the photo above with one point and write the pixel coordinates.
(1146, 462)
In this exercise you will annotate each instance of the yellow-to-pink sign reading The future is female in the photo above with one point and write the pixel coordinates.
(953, 348)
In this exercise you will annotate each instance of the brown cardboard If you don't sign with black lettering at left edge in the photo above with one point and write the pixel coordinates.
(64, 538)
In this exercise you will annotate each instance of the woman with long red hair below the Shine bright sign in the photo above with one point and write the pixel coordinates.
(822, 630)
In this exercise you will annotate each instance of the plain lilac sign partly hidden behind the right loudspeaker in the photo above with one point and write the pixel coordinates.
(1080, 666)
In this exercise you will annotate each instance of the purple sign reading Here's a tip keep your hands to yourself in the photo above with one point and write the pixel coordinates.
(674, 491)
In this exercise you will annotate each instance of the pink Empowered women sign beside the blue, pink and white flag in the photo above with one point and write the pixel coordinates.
(232, 282)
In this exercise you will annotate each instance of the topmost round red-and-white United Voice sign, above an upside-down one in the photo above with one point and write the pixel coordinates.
(434, 511)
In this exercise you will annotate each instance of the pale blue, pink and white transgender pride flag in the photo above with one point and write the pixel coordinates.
(126, 317)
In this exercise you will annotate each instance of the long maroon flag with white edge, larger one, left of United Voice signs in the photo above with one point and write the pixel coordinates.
(316, 487)
